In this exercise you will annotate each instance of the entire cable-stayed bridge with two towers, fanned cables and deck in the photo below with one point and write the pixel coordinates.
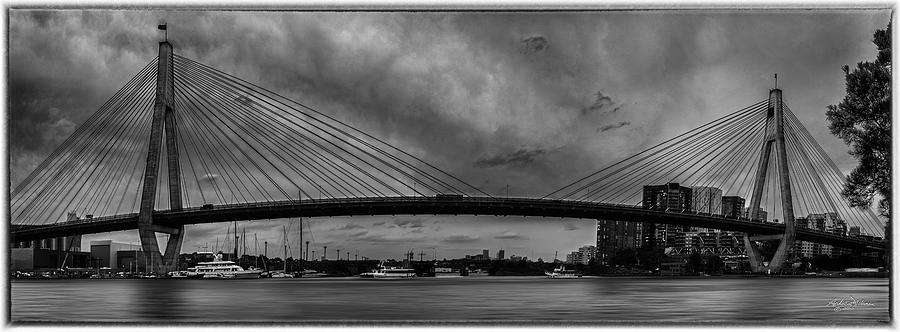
(182, 143)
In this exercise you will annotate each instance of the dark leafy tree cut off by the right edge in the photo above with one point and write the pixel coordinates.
(863, 121)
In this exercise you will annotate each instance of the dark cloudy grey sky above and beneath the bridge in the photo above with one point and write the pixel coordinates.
(529, 100)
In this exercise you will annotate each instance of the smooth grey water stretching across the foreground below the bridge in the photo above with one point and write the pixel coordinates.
(638, 300)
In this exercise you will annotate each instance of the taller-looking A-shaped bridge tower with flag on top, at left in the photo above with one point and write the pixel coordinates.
(162, 125)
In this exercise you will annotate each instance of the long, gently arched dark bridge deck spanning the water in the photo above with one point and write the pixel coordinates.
(528, 207)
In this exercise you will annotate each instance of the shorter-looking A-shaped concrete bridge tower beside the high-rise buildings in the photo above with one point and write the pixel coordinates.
(774, 135)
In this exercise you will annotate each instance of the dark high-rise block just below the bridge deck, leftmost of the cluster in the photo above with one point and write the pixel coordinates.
(613, 235)
